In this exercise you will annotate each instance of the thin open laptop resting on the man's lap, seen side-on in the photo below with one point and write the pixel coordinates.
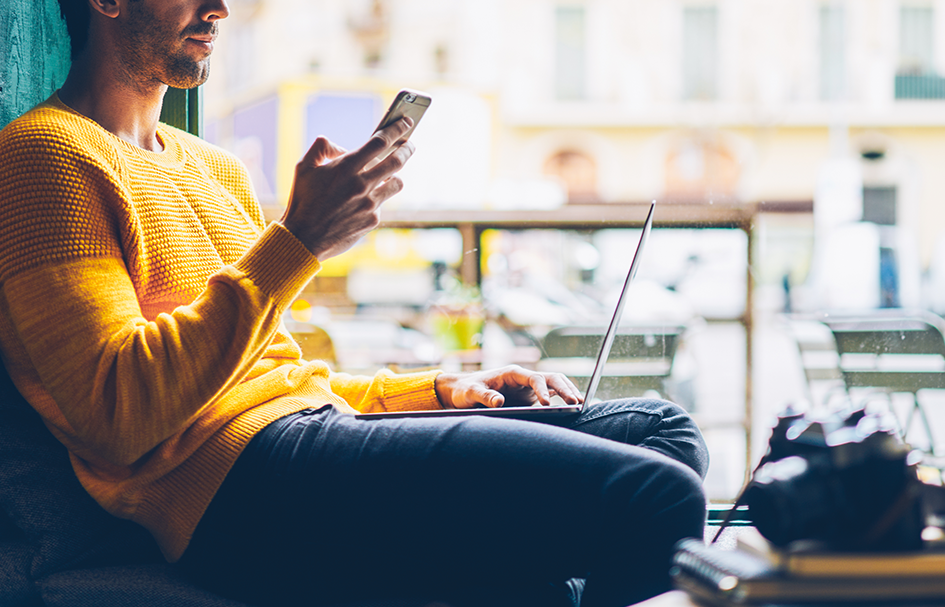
(553, 410)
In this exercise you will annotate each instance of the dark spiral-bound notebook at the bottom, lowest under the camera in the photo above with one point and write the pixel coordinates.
(737, 577)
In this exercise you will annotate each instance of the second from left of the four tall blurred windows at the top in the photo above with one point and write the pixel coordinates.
(700, 53)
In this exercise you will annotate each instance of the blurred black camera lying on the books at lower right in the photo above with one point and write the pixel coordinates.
(846, 480)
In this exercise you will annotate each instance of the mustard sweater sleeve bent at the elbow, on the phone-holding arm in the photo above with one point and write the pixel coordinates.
(123, 384)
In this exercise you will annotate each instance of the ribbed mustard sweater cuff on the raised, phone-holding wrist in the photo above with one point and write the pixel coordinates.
(279, 264)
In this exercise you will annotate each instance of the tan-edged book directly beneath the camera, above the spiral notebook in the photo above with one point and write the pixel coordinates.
(810, 561)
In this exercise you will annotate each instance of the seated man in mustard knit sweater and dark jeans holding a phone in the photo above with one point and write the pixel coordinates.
(142, 298)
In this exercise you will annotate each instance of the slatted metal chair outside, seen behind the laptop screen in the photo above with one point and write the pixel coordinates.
(640, 361)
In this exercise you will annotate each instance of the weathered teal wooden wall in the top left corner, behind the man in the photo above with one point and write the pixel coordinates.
(34, 54)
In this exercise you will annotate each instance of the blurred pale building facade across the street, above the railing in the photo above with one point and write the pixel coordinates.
(540, 103)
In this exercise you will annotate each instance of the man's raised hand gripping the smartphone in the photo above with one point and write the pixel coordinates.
(334, 201)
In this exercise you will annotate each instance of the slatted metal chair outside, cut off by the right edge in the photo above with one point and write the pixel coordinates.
(893, 351)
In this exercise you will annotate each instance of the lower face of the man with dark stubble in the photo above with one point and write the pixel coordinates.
(170, 41)
